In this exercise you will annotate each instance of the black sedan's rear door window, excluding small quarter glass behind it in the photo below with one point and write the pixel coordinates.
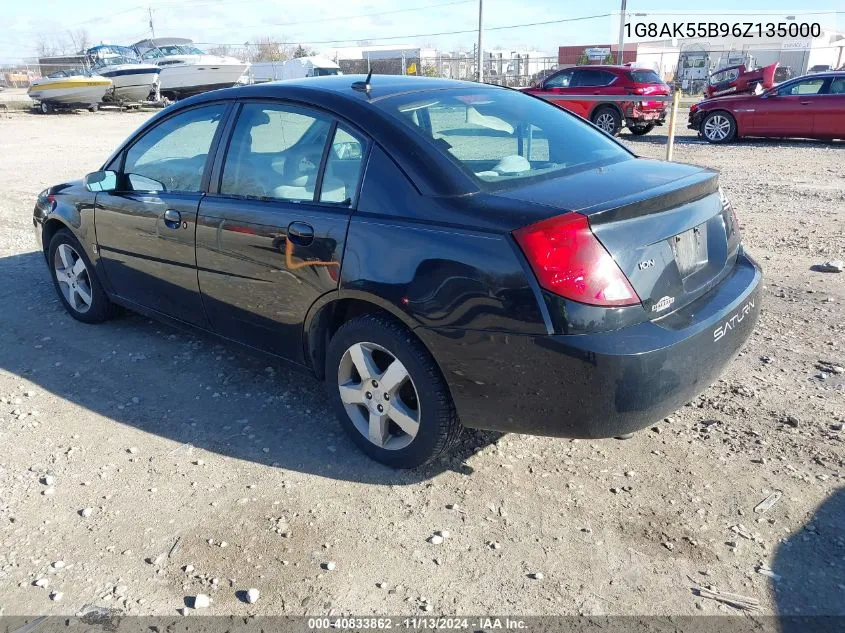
(275, 152)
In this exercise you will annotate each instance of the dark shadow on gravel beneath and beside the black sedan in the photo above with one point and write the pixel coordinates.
(191, 388)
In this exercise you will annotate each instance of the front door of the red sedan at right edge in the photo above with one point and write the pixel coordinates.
(789, 110)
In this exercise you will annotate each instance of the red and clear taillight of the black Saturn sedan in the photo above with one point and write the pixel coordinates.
(569, 261)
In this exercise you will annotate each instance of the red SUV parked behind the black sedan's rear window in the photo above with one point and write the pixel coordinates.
(610, 116)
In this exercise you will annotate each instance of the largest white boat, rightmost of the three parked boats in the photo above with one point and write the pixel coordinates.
(186, 70)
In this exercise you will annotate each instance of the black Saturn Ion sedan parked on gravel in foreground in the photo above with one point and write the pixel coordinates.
(443, 254)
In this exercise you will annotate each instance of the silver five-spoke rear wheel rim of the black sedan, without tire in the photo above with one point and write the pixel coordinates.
(379, 396)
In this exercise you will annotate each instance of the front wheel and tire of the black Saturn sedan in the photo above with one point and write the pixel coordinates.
(75, 280)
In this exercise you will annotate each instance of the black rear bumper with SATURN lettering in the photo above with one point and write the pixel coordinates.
(598, 385)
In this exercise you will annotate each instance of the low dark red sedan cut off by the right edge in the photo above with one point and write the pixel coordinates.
(812, 106)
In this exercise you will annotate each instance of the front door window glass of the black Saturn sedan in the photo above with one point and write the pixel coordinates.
(172, 156)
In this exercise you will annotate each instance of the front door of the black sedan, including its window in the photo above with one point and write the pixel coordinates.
(145, 228)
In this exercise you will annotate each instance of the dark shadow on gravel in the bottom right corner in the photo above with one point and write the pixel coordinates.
(808, 572)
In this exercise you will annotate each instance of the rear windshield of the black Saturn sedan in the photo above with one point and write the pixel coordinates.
(502, 137)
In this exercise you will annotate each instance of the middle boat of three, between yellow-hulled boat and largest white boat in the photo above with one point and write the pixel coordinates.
(132, 80)
